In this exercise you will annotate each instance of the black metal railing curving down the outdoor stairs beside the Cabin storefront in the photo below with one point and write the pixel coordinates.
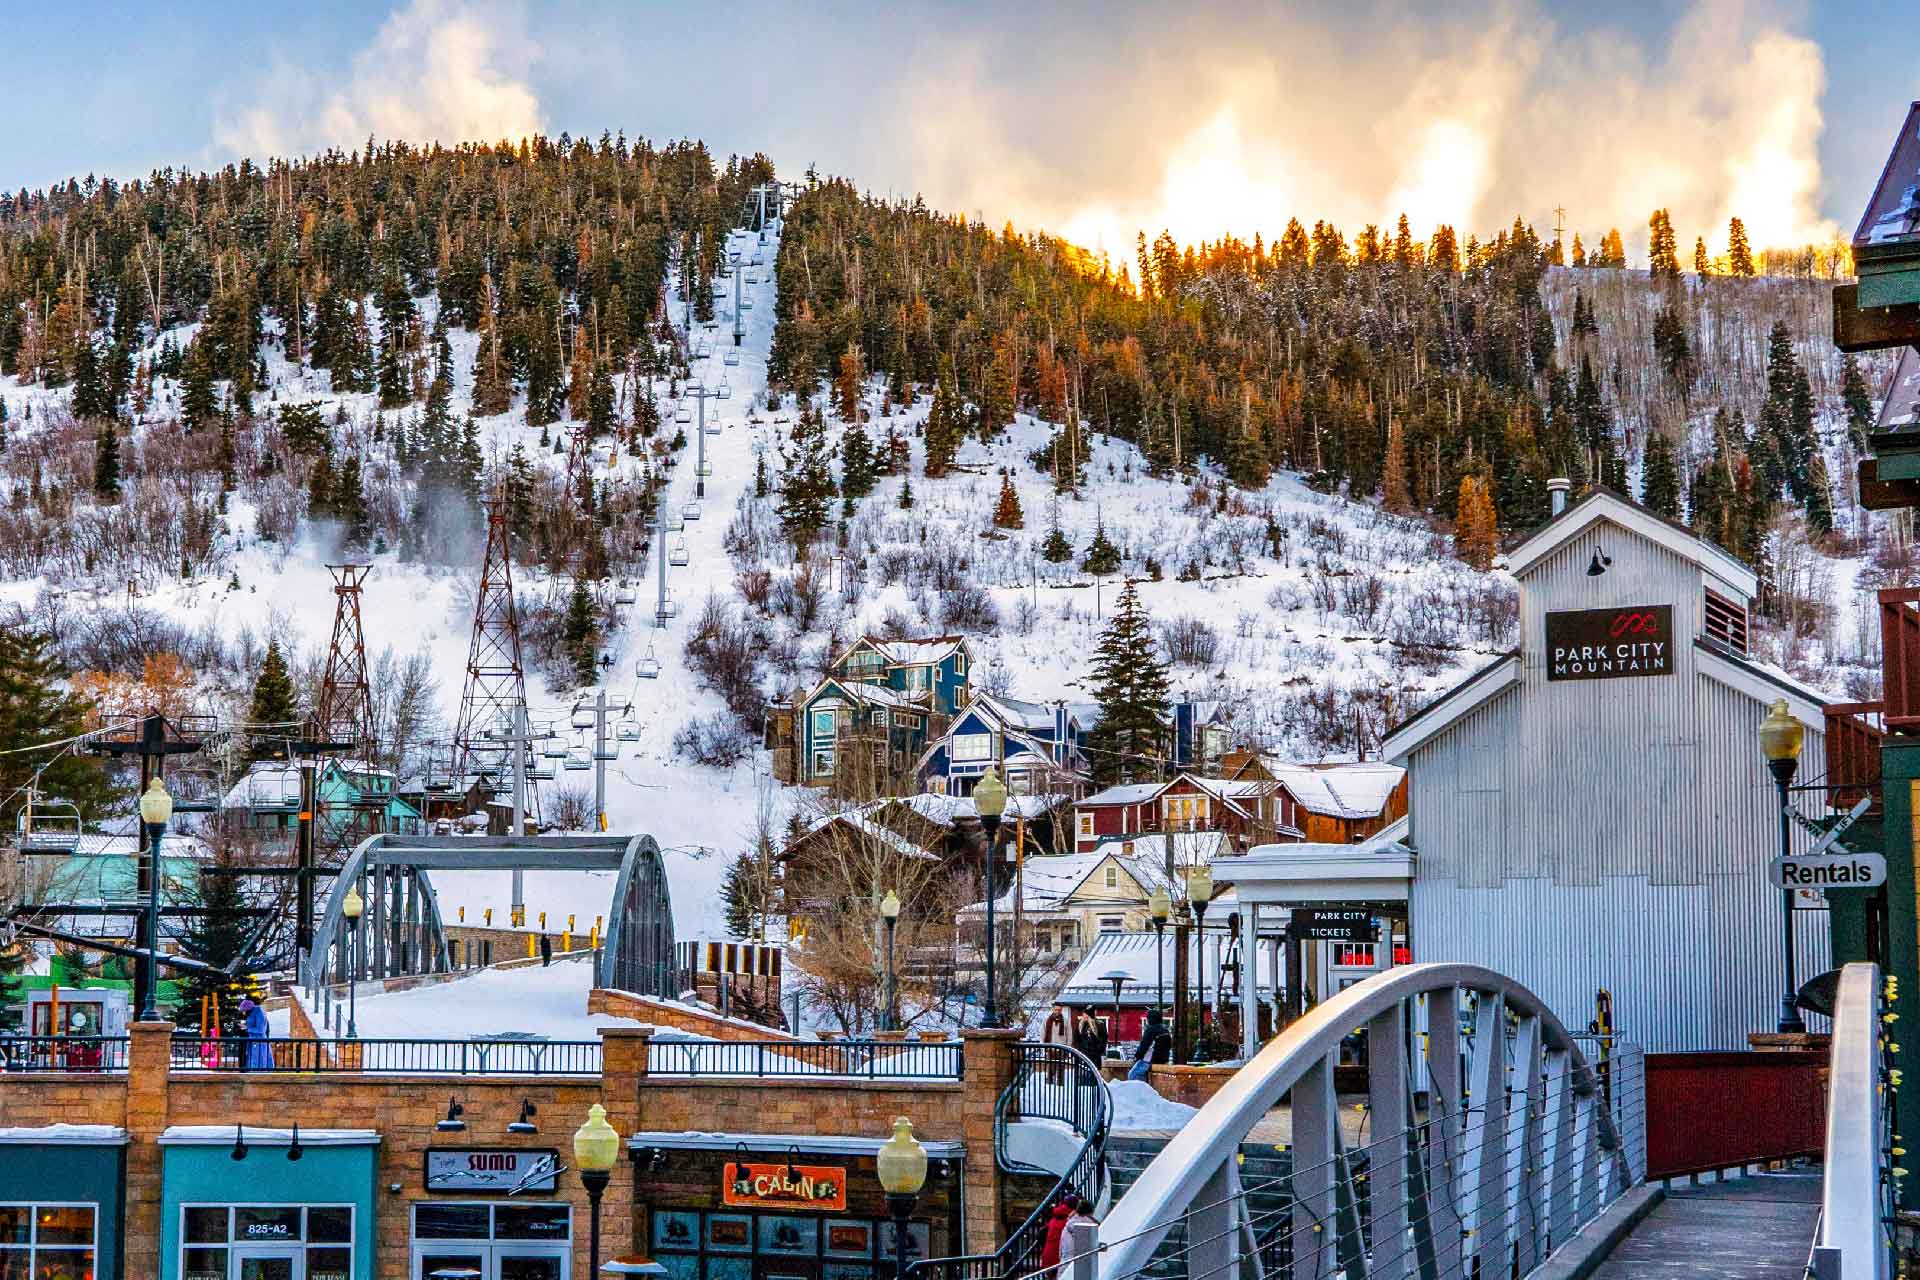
(1072, 1078)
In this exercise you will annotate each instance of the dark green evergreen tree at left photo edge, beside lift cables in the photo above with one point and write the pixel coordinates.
(36, 707)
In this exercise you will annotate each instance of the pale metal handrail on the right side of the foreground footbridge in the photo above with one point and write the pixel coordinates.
(1856, 1193)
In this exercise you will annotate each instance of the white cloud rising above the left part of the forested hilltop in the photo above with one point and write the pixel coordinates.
(437, 72)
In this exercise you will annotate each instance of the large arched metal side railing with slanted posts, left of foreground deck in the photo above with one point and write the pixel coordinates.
(1510, 1149)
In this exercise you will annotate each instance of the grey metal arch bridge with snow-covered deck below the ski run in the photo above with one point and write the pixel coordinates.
(402, 932)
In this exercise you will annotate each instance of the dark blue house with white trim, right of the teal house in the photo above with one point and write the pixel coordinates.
(1036, 746)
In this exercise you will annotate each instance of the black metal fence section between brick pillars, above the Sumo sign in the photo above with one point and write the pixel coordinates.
(389, 1056)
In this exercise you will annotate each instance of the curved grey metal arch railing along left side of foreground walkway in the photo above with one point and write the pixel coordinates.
(1479, 1166)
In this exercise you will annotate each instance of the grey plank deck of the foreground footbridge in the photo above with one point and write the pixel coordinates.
(1744, 1229)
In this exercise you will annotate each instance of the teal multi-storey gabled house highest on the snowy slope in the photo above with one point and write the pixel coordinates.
(875, 711)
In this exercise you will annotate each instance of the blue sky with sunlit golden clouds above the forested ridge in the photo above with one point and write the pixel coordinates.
(1084, 118)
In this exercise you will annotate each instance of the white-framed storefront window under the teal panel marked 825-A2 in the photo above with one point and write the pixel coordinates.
(264, 1243)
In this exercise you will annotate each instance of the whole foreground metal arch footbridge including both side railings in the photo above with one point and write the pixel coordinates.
(1489, 1149)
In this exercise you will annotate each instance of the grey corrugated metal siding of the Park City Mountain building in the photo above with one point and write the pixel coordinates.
(1612, 832)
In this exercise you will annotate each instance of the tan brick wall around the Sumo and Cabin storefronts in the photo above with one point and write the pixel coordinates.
(151, 1099)
